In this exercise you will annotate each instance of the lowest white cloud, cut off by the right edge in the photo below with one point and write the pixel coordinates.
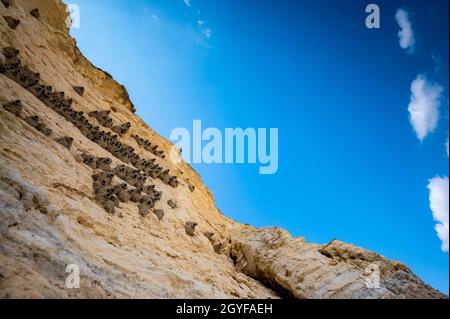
(438, 188)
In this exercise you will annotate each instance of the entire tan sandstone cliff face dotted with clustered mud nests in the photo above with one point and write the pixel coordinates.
(51, 216)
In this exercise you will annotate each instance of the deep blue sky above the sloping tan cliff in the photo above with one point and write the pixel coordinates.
(351, 165)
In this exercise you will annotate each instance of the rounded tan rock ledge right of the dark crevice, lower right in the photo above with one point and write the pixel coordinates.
(295, 268)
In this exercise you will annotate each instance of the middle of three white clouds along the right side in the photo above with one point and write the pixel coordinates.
(424, 106)
